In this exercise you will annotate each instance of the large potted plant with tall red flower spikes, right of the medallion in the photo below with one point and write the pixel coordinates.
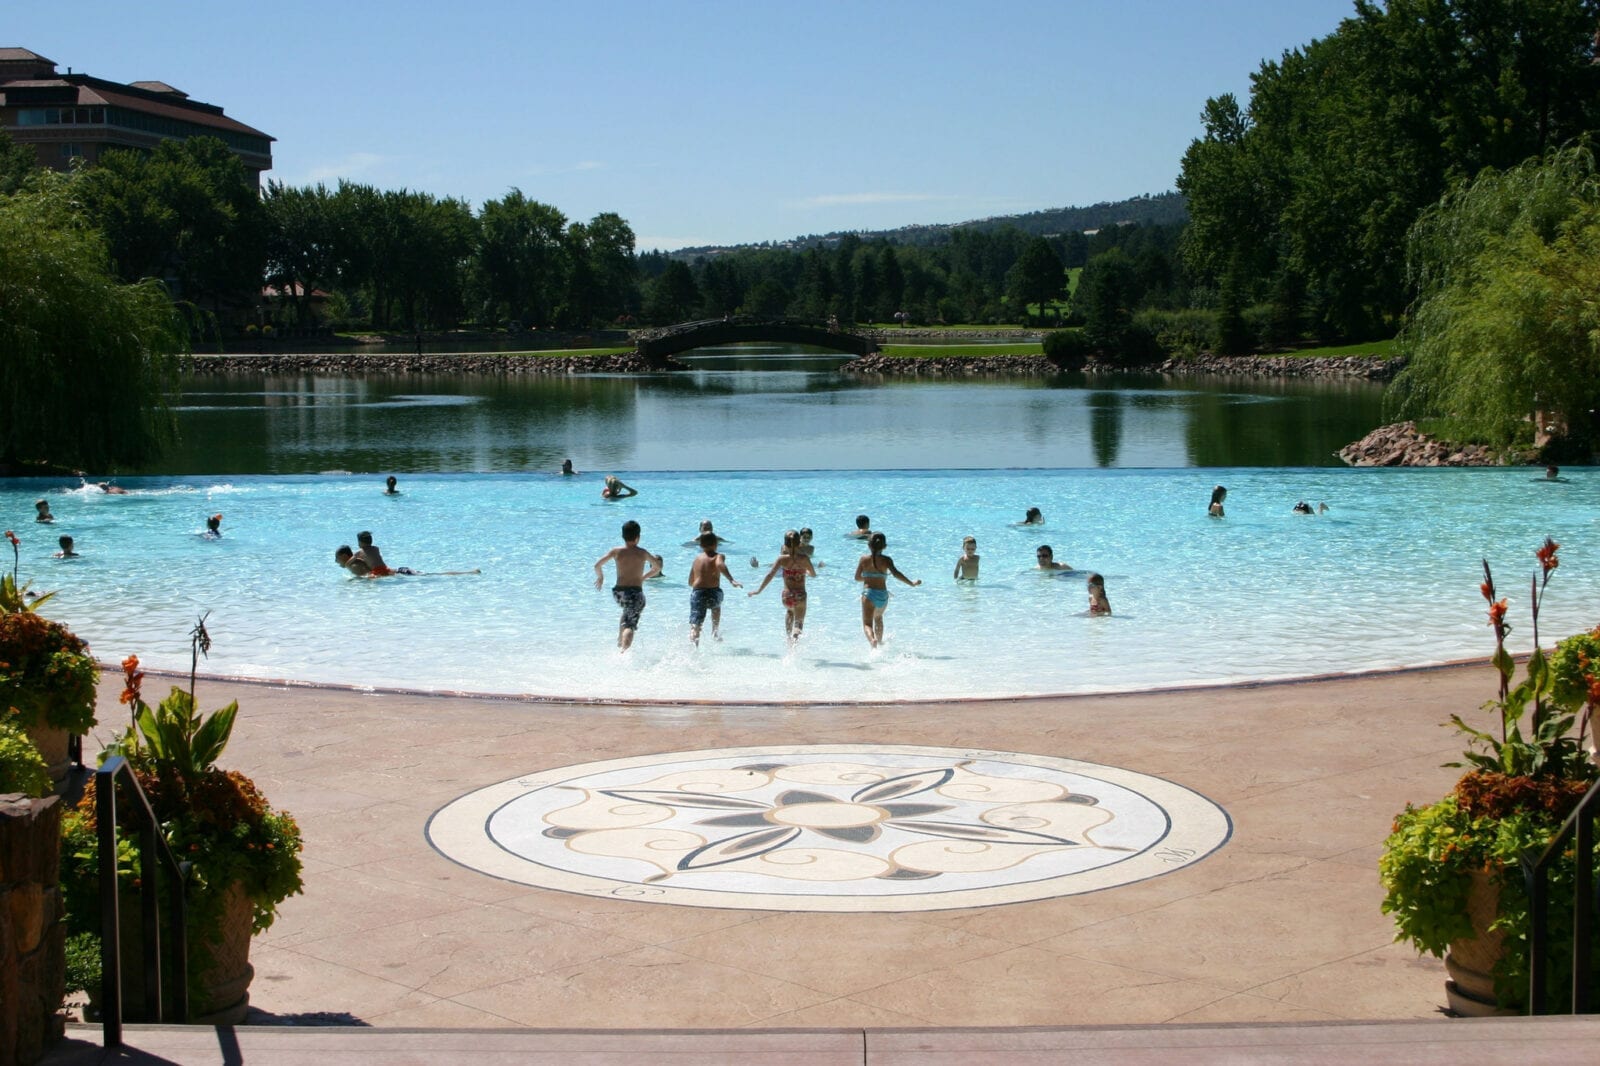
(1452, 872)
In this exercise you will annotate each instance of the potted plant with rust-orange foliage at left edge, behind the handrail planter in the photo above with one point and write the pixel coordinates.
(47, 673)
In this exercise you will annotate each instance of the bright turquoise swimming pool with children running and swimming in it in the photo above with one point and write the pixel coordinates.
(1390, 577)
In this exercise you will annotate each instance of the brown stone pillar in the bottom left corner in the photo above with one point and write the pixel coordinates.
(33, 929)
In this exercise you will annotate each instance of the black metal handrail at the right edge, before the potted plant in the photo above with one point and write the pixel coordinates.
(1580, 827)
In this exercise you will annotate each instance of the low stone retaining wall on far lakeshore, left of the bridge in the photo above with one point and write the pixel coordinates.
(353, 364)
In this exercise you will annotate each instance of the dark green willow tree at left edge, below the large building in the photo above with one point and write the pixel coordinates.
(89, 363)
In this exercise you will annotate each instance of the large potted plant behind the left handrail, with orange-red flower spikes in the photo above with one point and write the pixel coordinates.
(244, 854)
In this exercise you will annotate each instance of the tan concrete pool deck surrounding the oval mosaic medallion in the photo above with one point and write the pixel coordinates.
(1278, 926)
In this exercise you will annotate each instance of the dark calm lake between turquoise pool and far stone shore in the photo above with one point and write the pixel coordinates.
(756, 412)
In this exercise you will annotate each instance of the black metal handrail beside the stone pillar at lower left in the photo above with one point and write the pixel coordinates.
(154, 856)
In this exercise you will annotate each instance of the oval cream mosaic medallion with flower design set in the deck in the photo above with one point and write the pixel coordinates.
(831, 828)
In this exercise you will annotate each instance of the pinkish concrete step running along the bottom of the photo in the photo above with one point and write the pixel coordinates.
(1454, 1043)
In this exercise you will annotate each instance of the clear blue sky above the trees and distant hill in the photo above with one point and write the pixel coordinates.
(706, 122)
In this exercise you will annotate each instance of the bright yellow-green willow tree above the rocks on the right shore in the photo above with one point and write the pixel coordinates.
(1505, 329)
